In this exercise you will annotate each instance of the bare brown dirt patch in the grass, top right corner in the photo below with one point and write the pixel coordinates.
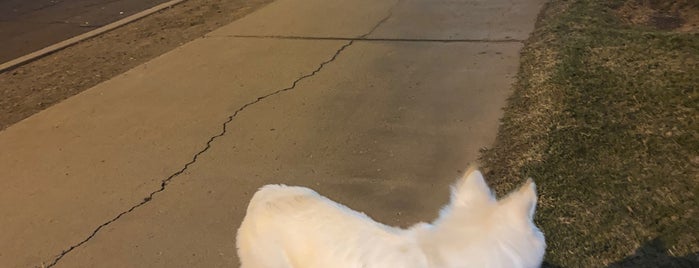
(680, 16)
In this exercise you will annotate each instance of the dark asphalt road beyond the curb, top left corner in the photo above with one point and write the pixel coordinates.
(30, 25)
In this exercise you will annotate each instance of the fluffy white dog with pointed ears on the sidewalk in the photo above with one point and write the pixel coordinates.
(296, 227)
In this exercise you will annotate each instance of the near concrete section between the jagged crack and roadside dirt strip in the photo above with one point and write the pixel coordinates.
(80, 163)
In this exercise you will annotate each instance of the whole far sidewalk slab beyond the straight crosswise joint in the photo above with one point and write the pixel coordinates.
(410, 19)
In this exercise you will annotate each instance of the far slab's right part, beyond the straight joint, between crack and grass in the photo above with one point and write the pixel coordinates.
(461, 20)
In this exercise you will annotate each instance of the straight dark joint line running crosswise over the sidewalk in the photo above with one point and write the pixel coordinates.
(293, 37)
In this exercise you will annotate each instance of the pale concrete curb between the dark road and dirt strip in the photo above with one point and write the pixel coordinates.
(74, 40)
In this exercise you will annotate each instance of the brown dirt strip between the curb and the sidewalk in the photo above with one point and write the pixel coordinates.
(35, 86)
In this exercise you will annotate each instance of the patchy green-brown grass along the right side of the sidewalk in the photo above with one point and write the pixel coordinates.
(604, 118)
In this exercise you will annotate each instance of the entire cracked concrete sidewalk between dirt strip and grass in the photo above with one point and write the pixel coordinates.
(377, 104)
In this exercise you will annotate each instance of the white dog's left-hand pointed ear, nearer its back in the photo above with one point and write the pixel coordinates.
(471, 189)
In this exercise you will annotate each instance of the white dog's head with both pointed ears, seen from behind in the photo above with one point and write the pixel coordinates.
(489, 232)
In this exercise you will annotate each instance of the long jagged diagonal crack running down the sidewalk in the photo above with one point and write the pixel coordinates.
(224, 129)
